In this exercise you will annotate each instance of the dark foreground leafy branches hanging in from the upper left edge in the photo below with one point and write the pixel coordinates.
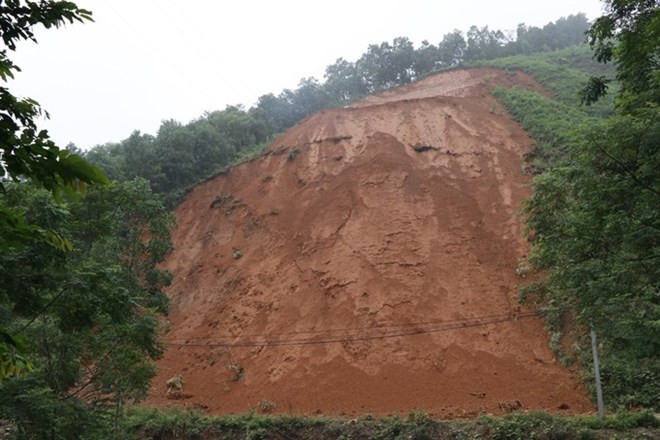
(29, 153)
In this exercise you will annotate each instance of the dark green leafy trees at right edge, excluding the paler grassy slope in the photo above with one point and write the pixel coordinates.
(595, 217)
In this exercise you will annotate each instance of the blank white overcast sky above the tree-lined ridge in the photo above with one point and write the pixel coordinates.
(144, 61)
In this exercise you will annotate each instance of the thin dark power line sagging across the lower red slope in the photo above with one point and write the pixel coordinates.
(440, 327)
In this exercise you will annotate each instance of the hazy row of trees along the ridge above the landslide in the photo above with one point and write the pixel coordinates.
(180, 155)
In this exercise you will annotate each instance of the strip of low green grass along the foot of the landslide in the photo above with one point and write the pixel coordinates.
(147, 423)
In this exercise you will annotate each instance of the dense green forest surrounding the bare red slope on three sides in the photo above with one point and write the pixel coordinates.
(80, 287)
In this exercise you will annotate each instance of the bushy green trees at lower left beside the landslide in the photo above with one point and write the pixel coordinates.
(90, 315)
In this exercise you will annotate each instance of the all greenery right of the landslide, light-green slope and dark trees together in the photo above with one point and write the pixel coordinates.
(594, 218)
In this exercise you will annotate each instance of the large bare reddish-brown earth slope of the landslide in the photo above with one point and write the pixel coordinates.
(366, 265)
